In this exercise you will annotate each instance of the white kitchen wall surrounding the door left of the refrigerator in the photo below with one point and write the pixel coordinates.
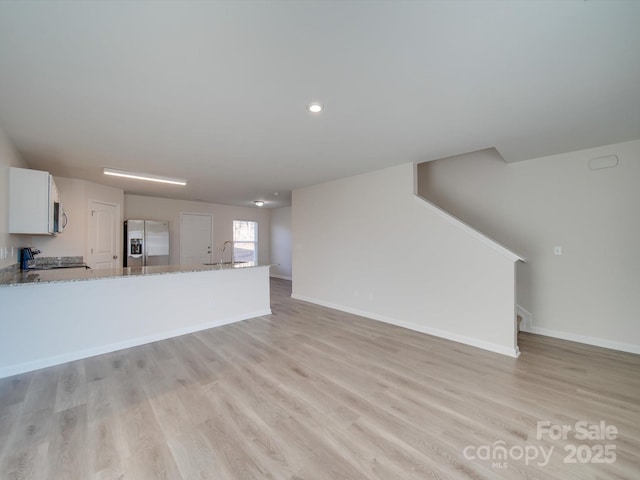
(75, 196)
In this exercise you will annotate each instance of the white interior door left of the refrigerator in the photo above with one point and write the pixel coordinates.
(104, 230)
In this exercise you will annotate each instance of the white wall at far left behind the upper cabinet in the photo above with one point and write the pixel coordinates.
(8, 158)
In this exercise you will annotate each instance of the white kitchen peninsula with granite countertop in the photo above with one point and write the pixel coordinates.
(56, 316)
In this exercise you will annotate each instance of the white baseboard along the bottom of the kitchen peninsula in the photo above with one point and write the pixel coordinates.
(113, 347)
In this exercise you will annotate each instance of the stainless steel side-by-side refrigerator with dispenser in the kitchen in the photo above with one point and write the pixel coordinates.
(146, 243)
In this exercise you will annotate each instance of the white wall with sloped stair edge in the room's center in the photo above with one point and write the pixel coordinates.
(367, 245)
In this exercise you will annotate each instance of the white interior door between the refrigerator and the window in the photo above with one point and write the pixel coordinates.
(196, 238)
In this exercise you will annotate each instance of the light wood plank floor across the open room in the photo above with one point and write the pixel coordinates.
(312, 393)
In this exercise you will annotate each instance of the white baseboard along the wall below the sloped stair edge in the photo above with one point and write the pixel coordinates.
(473, 342)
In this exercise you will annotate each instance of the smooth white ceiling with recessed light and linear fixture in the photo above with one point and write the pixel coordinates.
(216, 92)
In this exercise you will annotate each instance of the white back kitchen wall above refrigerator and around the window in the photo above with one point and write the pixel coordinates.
(153, 208)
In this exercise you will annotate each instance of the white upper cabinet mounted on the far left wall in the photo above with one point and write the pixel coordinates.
(32, 198)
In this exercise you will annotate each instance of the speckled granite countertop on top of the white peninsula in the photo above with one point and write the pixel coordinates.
(13, 277)
